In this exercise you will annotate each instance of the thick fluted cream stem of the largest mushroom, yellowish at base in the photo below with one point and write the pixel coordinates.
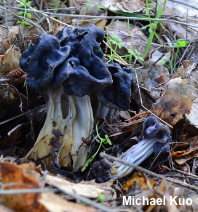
(73, 117)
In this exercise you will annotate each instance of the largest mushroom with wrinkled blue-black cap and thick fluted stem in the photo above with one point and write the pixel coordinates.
(66, 69)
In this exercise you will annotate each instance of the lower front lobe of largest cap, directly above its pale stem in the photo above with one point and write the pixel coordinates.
(77, 80)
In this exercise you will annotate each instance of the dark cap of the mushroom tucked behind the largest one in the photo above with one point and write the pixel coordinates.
(117, 95)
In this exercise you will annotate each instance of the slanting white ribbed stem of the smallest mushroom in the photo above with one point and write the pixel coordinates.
(135, 155)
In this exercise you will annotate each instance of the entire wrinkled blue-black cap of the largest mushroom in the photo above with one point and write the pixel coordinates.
(72, 59)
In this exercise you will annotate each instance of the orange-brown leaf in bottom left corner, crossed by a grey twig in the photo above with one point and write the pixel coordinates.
(21, 177)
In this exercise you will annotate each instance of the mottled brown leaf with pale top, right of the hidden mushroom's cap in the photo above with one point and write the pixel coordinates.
(176, 101)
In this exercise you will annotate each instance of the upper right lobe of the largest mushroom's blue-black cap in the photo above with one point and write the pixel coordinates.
(85, 45)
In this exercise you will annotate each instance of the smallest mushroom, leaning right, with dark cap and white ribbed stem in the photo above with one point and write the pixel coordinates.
(155, 138)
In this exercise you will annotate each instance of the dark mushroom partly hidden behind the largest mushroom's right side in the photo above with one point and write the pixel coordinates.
(117, 96)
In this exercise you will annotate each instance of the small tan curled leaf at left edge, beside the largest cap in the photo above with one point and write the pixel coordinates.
(10, 60)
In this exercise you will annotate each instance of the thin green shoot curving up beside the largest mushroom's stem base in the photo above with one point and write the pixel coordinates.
(105, 140)
